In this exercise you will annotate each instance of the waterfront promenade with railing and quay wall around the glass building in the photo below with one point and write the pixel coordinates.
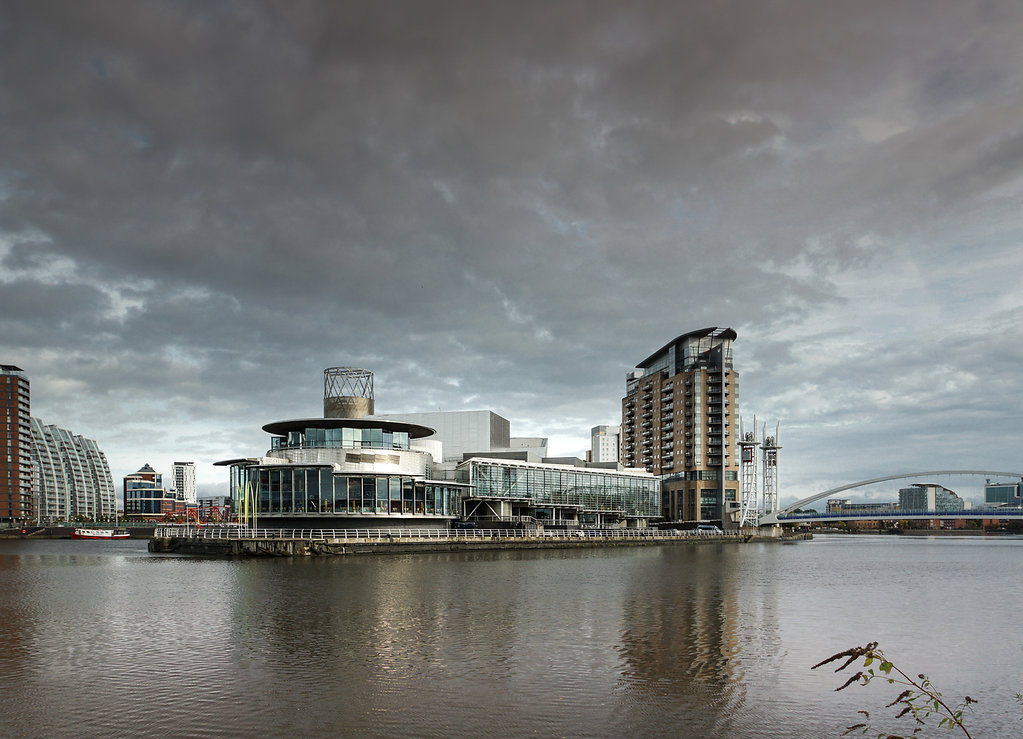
(241, 541)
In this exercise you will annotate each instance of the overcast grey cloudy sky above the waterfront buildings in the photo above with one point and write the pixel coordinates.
(507, 206)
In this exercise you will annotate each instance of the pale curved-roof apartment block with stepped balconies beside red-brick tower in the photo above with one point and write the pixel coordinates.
(72, 476)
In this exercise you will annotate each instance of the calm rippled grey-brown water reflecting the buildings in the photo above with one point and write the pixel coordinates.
(105, 639)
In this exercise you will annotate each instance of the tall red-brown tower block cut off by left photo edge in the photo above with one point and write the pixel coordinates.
(16, 447)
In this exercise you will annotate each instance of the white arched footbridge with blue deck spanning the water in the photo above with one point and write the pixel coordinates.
(789, 515)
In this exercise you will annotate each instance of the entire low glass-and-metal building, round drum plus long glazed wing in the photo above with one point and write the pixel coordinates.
(353, 469)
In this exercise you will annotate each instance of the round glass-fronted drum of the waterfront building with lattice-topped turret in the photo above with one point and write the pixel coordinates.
(346, 469)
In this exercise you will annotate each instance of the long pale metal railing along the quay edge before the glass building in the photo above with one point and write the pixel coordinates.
(391, 535)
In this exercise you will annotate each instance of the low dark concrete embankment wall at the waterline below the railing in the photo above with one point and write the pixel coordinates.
(350, 547)
